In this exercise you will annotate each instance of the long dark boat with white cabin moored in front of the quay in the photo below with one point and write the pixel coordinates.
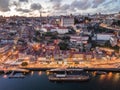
(68, 76)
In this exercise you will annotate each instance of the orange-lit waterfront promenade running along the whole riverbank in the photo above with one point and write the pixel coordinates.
(103, 65)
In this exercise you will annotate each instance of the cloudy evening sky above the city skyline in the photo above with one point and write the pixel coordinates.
(57, 7)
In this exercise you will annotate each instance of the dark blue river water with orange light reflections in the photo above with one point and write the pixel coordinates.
(39, 81)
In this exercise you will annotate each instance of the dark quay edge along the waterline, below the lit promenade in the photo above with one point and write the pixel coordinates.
(27, 69)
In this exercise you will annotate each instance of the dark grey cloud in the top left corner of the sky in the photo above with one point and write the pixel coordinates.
(4, 5)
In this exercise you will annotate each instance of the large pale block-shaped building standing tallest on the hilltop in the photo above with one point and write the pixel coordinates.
(67, 21)
